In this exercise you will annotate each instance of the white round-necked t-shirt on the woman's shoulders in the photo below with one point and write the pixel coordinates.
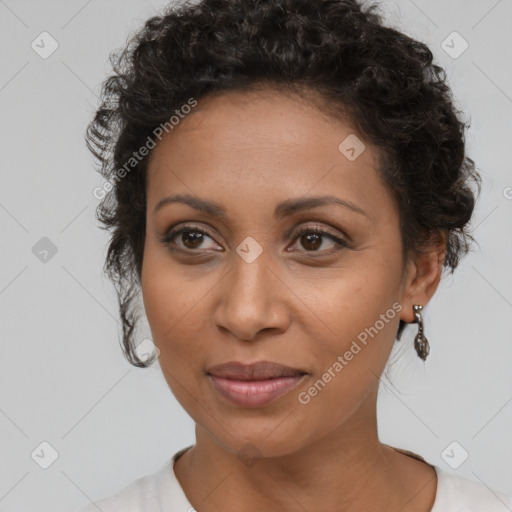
(161, 492)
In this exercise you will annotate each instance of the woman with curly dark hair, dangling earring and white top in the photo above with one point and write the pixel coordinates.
(289, 180)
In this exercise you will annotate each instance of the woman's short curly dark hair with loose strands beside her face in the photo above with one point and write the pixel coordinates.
(338, 51)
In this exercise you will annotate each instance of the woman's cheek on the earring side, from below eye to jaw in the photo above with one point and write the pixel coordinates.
(356, 318)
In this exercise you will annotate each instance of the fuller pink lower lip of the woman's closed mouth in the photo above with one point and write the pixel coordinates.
(254, 393)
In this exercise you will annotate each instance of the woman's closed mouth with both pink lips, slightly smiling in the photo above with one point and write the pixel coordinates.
(254, 385)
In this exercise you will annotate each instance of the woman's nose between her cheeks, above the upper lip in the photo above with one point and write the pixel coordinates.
(252, 300)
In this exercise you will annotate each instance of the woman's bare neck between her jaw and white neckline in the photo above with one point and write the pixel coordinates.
(349, 469)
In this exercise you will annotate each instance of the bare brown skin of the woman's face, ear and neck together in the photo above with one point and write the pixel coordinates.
(248, 151)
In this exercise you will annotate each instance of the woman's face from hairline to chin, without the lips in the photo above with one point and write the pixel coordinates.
(316, 287)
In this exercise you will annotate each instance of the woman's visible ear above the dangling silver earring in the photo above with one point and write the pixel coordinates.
(422, 277)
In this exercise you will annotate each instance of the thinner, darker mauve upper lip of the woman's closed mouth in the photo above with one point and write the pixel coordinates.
(260, 370)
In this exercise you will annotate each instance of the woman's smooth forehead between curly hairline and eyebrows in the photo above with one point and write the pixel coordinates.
(262, 144)
